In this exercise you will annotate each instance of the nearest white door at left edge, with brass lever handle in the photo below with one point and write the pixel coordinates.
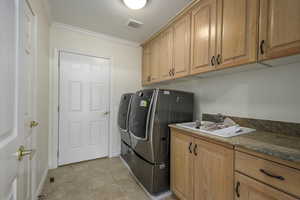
(12, 76)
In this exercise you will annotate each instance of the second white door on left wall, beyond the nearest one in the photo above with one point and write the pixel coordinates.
(27, 185)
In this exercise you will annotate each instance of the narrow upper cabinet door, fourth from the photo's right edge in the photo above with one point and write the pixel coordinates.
(182, 41)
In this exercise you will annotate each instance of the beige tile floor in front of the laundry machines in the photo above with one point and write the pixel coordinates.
(101, 179)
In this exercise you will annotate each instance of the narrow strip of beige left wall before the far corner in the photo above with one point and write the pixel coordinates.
(42, 93)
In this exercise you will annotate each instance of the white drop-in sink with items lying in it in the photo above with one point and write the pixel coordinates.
(217, 129)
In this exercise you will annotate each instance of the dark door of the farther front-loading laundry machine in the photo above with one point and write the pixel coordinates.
(123, 117)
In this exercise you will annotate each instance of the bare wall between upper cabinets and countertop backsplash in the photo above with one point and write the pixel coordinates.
(268, 93)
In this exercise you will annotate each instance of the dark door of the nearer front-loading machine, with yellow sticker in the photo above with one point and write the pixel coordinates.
(139, 114)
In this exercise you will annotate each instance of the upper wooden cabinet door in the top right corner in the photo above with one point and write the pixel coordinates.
(279, 28)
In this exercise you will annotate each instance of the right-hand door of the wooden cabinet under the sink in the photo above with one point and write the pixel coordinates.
(213, 171)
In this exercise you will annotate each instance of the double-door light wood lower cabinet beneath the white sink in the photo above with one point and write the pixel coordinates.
(200, 170)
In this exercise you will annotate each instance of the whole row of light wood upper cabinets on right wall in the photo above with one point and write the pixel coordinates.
(214, 34)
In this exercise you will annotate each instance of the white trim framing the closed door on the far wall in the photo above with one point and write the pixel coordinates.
(54, 104)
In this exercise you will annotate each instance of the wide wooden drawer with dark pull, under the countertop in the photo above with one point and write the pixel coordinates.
(276, 175)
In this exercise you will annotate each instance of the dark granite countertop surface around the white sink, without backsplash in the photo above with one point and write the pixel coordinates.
(278, 145)
